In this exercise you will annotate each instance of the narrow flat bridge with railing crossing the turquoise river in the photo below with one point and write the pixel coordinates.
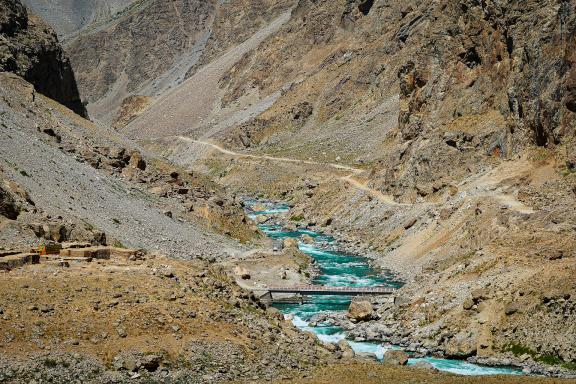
(319, 290)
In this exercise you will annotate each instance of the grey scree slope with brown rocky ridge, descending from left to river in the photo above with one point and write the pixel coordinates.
(87, 174)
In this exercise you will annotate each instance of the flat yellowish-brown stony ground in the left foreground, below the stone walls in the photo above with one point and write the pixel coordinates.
(189, 316)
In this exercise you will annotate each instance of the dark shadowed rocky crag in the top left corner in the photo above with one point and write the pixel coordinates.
(29, 48)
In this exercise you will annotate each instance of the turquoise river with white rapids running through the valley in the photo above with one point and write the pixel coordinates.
(341, 269)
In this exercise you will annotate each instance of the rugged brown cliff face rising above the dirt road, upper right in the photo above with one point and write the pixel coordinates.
(506, 65)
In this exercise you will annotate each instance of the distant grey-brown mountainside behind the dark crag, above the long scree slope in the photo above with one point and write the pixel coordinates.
(152, 46)
